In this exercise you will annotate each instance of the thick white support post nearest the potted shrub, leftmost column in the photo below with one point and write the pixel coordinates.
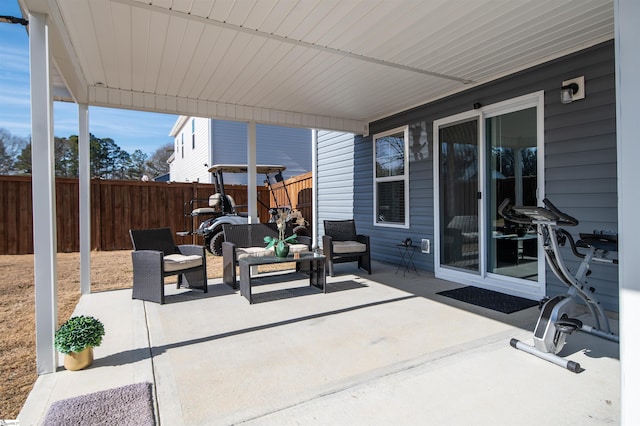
(44, 195)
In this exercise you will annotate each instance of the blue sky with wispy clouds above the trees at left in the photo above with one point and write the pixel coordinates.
(130, 130)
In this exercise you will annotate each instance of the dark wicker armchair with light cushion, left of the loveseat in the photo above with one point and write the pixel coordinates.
(156, 256)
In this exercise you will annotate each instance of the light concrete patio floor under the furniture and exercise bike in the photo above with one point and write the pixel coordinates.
(376, 349)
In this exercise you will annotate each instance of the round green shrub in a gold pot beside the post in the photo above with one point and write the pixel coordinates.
(76, 338)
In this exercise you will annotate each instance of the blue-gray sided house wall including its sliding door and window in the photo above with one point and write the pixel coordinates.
(443, 168)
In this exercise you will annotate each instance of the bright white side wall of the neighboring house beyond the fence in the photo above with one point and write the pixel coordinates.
(190, 159)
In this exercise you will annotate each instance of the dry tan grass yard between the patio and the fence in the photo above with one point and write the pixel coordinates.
(109, 270)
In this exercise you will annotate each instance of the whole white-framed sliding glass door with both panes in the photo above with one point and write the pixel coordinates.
(483, 157)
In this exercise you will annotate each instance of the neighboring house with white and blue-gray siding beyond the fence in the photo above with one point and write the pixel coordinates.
(202, 142)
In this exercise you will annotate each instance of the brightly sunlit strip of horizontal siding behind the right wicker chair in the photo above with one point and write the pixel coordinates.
(335, 177)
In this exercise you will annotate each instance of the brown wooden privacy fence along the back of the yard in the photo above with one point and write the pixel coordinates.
(116, 207)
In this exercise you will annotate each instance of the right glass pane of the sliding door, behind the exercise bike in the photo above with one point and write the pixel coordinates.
(511, 140)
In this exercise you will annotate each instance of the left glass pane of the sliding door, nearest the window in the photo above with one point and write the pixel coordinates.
(458, 168)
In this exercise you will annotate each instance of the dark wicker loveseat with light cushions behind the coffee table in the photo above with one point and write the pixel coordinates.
(248, 240)
